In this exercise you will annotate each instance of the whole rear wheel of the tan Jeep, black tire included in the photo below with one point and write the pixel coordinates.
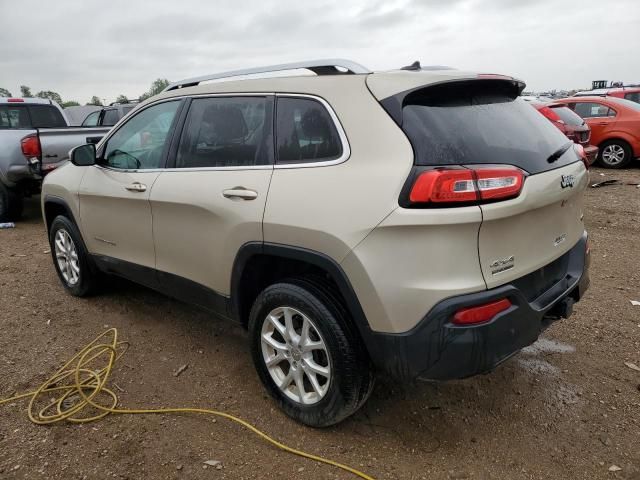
(331, 398)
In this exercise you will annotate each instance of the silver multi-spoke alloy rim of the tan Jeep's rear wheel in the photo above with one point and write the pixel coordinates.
(296, 355)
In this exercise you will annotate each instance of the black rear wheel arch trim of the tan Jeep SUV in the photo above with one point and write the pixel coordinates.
(252, 256)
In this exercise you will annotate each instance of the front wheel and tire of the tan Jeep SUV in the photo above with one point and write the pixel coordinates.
(70, 258)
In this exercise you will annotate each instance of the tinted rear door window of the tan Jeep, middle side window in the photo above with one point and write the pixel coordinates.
(227, 132)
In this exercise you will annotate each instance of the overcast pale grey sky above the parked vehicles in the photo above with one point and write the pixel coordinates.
(106, 48)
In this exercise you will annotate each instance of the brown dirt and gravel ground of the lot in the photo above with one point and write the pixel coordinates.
(567, 407)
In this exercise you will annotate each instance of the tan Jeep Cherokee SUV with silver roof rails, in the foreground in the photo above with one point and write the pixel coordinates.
(420, 222)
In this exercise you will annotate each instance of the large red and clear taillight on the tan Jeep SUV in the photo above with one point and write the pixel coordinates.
(466, 185)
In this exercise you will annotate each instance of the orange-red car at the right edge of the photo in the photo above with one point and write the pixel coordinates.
(615, 127)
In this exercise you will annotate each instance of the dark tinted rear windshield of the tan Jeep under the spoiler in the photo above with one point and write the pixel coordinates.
(479, 122)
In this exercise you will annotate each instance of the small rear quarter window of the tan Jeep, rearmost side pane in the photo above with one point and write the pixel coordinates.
(305, 132)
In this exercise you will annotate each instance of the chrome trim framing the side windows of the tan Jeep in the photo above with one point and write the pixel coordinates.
(346, 148)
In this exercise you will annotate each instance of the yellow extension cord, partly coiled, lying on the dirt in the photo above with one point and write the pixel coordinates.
(77, 386)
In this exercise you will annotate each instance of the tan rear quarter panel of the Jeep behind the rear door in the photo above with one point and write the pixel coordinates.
(330, 209)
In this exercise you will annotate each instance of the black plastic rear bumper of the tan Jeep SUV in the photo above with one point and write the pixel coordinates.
(436, 349)
